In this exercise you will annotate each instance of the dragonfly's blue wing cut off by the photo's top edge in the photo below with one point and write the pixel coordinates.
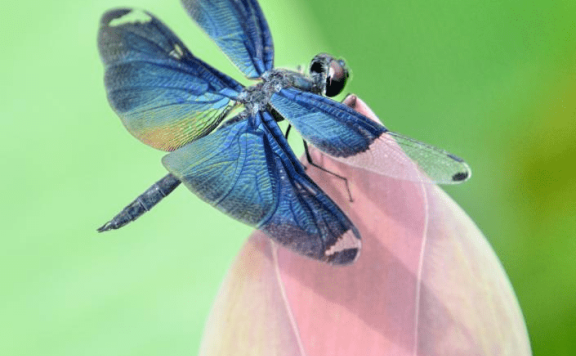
(239, 28)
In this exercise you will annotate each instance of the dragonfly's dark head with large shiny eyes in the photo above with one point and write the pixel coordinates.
(329, 74)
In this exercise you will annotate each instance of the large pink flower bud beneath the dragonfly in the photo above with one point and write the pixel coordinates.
(426, 283)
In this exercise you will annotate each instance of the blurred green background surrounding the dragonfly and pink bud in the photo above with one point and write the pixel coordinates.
(492, 81)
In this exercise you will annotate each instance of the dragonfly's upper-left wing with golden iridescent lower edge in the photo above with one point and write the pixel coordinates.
(164, 95)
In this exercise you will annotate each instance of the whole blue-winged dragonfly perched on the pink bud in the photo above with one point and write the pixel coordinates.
(223, 138)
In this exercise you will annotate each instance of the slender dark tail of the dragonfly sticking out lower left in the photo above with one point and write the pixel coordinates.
(143, 203)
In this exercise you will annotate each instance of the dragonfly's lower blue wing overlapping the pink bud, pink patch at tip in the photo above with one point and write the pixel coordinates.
(244, 171)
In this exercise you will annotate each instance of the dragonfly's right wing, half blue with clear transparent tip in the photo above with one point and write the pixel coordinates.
(350, 137)
